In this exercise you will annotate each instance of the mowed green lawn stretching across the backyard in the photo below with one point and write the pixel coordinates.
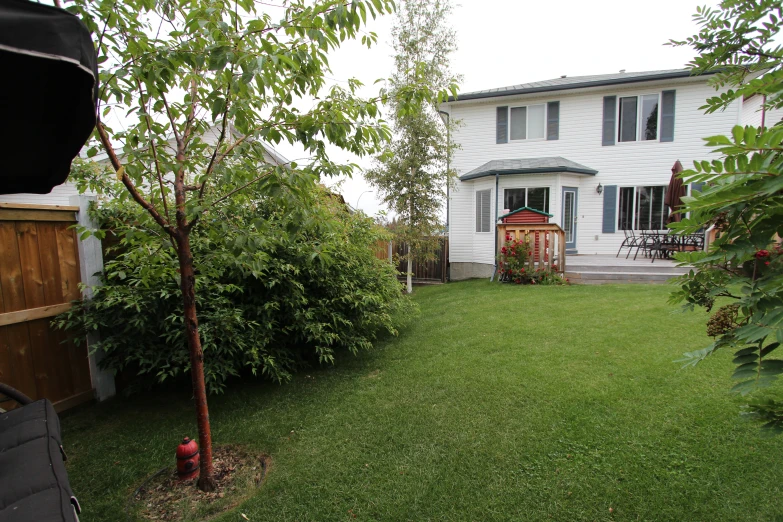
(499, 402)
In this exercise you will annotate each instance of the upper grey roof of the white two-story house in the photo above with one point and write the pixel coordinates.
(576, 82)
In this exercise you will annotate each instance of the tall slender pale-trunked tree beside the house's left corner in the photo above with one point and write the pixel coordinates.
(411, 174)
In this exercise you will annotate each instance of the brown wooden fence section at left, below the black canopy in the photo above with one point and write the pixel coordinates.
(39, 277)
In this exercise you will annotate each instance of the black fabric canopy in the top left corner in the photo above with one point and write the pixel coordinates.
(47, 96)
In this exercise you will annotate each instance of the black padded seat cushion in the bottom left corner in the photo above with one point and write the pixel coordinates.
(33, 482)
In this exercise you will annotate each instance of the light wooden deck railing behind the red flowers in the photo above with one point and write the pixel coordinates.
(546, 240)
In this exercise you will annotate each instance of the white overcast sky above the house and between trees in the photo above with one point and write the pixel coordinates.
(506, 42)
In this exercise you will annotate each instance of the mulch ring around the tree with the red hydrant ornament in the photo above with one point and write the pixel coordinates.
(237, 473)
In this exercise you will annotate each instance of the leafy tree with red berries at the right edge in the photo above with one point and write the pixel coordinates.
(742, 201)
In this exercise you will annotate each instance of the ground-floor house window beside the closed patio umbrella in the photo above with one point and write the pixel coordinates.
(642, 208)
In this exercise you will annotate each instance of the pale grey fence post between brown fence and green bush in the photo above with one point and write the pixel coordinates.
(90, 263)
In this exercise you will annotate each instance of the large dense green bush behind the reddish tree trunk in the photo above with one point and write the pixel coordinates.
(278, 285)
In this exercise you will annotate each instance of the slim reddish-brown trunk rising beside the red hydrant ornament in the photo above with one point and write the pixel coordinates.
(206, 481)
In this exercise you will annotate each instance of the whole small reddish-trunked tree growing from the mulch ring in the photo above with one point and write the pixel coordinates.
(179, 69)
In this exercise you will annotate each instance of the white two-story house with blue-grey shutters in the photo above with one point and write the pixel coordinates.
(596, 152)
